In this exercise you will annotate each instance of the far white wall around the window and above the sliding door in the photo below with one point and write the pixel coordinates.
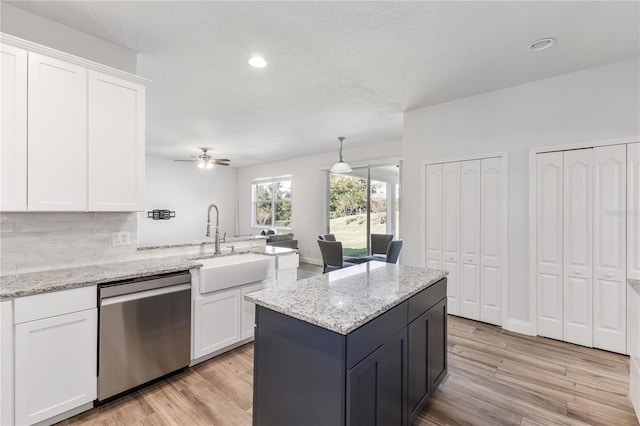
(308, 190)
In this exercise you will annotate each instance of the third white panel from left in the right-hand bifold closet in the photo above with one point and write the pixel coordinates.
(610, 240)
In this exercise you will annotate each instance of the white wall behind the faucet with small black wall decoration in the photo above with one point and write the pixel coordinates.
(188, 190)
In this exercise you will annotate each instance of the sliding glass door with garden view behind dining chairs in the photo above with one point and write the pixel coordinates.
(364, 202)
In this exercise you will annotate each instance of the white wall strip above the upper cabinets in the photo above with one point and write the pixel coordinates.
(37, 29)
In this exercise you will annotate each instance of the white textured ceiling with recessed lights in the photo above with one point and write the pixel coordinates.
(335, 68)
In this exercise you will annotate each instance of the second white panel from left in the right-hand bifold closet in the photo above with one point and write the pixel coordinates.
(578, 247)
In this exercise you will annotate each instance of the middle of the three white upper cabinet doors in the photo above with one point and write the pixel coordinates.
(57, 115)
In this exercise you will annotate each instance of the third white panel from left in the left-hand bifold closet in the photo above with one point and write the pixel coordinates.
(470, 239)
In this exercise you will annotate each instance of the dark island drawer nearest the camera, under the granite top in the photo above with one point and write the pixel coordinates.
(369, 337)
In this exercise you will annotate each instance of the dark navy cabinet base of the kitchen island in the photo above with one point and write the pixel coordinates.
(306, 374)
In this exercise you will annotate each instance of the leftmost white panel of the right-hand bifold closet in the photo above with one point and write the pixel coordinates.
(549, 188)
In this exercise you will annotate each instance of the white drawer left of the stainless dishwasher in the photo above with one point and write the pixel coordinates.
(30, 308)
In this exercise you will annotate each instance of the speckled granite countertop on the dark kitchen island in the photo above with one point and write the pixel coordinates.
(343, 300)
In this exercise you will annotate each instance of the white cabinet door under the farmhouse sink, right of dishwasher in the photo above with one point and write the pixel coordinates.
(217, 321)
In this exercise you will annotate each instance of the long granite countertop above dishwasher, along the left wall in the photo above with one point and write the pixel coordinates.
(13, 286)
